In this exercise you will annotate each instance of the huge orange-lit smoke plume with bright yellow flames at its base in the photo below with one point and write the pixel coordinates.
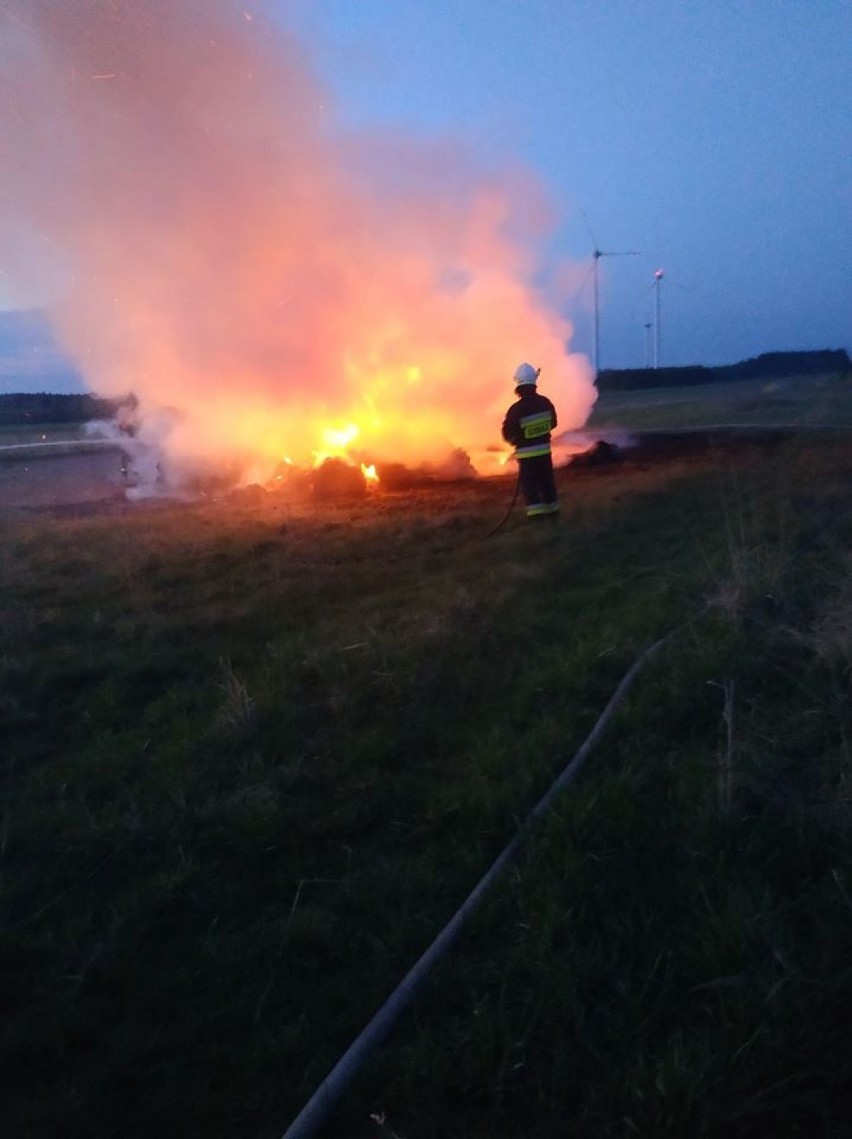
(218, 243)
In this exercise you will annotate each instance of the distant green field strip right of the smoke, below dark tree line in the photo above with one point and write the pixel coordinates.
(792, 401)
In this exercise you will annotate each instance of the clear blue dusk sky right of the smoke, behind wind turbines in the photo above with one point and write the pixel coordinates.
(715, 137)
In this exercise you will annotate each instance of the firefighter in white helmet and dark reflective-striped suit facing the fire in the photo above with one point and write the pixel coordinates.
(528, 427)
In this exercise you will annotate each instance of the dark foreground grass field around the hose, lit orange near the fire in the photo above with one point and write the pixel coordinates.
(257, 752)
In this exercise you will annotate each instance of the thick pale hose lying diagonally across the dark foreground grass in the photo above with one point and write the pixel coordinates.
(324, 1100)
